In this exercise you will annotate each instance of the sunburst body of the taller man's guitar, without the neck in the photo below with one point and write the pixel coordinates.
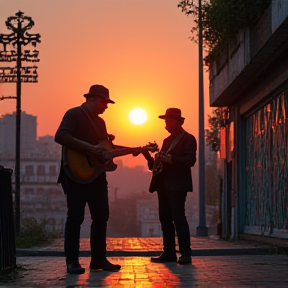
(79, 169)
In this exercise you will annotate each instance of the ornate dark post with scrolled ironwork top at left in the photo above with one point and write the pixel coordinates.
(19, 24)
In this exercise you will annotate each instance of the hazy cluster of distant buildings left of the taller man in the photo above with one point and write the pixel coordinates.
(40, 195)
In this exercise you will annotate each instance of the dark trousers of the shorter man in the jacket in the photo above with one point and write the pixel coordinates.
(172, 217)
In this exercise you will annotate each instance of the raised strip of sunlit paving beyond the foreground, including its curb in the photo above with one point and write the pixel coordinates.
(150, 246)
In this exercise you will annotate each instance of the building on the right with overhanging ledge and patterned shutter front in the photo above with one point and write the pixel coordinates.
(250, 83)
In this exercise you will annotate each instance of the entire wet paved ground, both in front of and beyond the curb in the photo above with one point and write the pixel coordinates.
(245, 264)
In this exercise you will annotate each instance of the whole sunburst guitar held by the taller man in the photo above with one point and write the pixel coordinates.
(86, 168)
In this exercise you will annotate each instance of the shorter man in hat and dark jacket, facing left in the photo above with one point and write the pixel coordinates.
(172, 180)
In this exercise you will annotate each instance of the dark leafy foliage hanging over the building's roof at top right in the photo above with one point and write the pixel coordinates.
(221, 20)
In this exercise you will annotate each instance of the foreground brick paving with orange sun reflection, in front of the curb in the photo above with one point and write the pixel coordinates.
(210, 272)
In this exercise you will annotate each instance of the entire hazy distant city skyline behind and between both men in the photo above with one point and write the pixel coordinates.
(133, 211)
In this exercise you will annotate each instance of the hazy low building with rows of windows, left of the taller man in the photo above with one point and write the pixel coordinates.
(40, 195)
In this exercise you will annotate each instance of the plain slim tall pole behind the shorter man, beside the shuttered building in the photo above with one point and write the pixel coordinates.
(202, 229)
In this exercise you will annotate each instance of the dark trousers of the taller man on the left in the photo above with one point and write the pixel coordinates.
(95, 194)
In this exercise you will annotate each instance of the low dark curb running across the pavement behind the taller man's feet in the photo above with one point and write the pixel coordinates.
(120, 253)
